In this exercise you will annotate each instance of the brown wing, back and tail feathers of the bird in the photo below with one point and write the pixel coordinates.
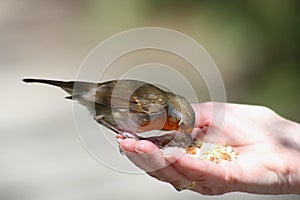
(123, 94)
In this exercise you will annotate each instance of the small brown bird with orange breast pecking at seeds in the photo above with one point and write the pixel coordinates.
(132, 106)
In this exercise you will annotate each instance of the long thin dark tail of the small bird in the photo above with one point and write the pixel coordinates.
(69, 86)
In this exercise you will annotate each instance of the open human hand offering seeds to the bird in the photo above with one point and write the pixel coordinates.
(268, 146)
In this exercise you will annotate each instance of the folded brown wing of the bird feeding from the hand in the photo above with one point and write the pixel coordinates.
(137, 96)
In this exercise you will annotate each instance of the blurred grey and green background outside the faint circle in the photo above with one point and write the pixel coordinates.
(255, 44)
